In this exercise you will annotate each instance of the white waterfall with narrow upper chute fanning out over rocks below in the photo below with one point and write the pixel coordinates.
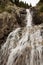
(17, 43)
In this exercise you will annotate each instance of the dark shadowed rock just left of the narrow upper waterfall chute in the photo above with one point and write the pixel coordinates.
(21, 18)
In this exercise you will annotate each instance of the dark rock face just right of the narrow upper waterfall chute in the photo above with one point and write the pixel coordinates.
(37, 20)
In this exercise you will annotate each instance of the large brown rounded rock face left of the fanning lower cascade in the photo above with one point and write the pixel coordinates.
(7, 24)
